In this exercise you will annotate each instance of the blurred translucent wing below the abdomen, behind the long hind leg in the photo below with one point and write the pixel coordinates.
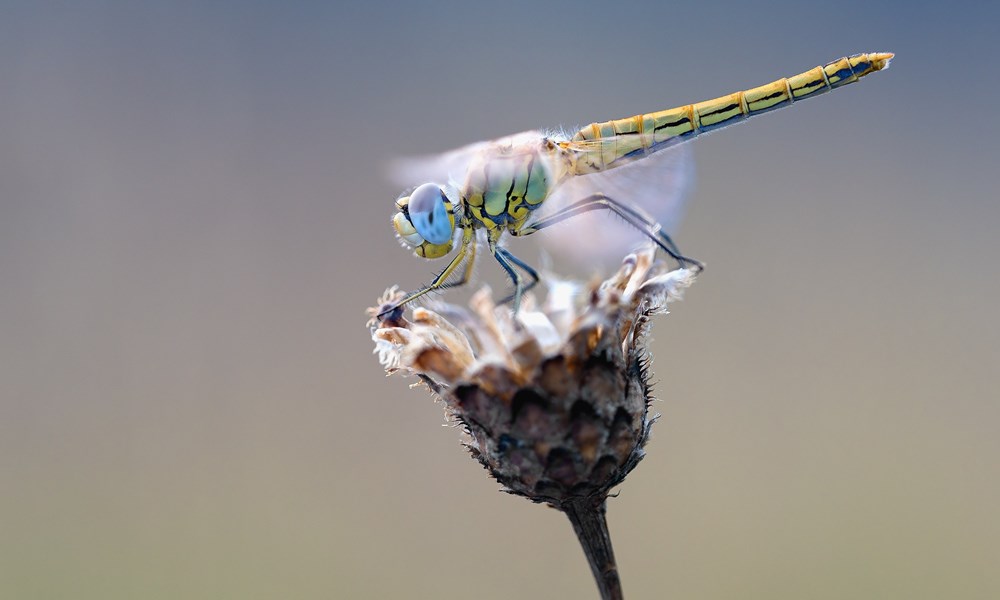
(657, 184)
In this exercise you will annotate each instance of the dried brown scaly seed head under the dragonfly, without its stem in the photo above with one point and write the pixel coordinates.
(555, 402)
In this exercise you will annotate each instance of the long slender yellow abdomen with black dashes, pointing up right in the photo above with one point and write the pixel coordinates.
(624, 140)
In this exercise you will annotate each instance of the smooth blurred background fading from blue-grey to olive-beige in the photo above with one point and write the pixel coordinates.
(193, 217)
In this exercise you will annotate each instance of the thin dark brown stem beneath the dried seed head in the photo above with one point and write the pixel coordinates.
(591, 526)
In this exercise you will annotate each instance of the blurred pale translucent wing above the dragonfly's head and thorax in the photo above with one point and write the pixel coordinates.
(451, 166)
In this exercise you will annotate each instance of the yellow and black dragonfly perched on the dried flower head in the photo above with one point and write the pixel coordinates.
(500, 188)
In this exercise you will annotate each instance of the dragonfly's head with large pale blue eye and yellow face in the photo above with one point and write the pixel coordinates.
(425, 221)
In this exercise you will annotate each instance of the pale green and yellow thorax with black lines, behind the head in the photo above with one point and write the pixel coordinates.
(501, 191)
